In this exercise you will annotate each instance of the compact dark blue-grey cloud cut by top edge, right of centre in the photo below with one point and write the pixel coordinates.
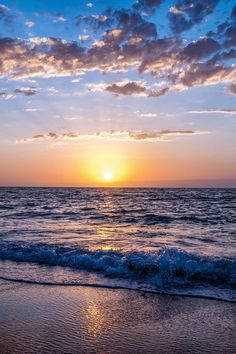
(188, 13)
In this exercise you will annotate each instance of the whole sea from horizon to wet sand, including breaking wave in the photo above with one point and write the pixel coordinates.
(173, 241)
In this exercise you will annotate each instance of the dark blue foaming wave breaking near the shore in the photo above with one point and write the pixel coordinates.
(165, 268)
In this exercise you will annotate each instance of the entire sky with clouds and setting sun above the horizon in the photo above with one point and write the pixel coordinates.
(118, 93)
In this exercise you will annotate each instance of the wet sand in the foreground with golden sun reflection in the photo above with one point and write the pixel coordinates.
(46, 319)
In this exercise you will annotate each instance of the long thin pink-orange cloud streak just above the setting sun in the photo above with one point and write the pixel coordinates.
(112, 135)
